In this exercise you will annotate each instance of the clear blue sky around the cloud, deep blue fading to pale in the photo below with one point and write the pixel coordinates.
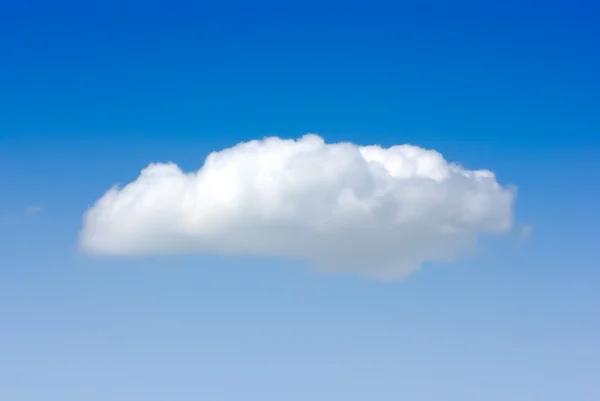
(91, 92)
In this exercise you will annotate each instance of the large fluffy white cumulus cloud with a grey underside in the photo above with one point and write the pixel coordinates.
(381, 212)
